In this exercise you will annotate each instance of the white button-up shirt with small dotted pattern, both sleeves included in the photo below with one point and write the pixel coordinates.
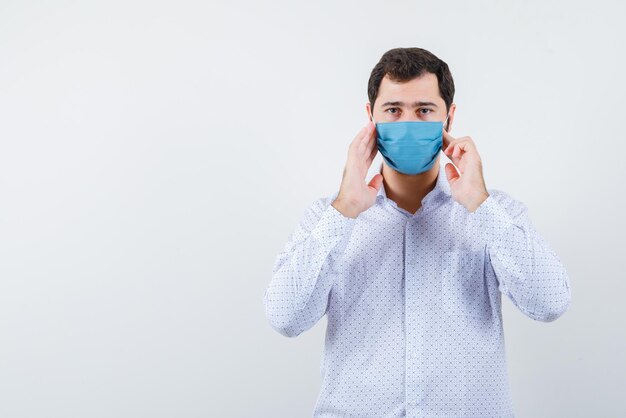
(414, 301)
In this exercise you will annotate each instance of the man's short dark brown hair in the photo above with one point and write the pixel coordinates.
(404, 64)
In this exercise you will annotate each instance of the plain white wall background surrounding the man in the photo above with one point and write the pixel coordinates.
(156, 155)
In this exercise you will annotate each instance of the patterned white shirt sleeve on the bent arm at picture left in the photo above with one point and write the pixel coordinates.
(305, 270)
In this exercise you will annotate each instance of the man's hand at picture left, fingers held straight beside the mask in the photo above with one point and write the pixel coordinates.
(354, 195)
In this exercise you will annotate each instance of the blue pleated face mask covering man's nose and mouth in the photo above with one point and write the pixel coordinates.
(410, 147)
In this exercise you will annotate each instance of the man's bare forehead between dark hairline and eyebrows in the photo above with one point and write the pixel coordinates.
(422, 88)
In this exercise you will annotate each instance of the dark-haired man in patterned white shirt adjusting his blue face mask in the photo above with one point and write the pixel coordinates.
(410, 267)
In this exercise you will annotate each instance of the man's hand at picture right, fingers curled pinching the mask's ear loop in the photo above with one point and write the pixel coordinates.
(468, 187)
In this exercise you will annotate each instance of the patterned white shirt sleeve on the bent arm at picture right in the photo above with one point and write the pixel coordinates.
(527, 269)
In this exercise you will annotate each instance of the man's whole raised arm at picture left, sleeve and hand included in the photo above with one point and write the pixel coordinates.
(305, 270)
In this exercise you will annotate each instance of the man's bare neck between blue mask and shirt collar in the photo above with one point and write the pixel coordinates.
(409, 190)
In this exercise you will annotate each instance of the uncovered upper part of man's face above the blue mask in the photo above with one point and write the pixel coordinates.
(414, 100)
